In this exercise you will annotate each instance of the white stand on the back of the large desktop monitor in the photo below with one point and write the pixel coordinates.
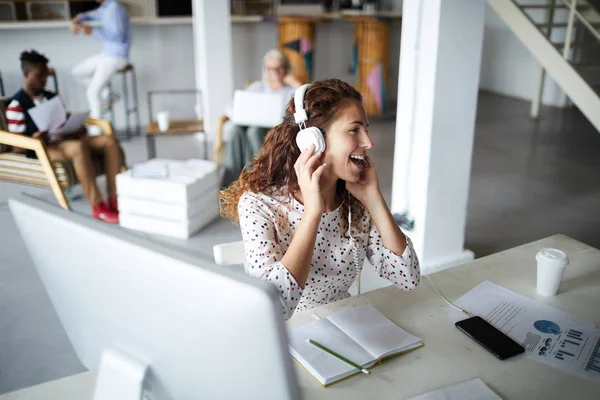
(120, 376)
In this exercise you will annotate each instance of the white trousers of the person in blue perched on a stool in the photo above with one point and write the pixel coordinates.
(95, 72)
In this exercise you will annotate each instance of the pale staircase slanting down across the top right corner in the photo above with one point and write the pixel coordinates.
(564, 37)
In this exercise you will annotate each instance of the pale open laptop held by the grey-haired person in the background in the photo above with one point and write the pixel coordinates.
(258, 108)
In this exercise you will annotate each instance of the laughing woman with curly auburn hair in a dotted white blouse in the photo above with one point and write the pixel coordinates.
(301, 213)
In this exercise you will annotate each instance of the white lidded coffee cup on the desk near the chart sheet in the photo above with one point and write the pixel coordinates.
(551, 265)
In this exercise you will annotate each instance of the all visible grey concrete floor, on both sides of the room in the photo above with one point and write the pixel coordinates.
(529, 180)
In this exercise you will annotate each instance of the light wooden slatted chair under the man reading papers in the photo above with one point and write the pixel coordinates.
(57, 175)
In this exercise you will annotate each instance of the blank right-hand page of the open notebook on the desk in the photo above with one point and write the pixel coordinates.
(373, 331)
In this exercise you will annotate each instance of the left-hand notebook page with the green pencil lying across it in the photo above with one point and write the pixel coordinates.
(325, 367)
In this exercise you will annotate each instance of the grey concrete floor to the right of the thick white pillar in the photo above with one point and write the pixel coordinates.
(532, 179)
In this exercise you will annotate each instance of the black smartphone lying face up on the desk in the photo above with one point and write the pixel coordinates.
(492, 339)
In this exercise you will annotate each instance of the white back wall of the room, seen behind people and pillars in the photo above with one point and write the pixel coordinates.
(164, 58)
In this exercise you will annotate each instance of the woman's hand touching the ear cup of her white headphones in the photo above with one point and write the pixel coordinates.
(309, 174)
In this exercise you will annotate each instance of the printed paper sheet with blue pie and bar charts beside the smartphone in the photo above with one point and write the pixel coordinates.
(549, 335)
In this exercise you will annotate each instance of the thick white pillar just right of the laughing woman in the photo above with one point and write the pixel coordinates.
(440, 60)
